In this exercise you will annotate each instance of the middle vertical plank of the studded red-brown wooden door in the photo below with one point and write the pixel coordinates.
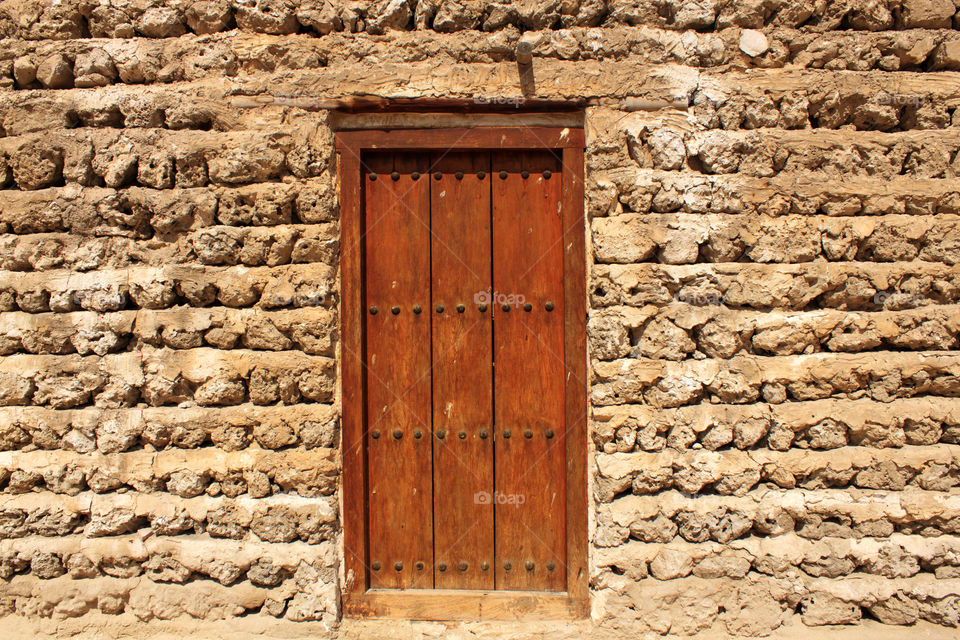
(462, 372)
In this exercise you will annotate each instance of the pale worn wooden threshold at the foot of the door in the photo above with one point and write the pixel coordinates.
(462, 605)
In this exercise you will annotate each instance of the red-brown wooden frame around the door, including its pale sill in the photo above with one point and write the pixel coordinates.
(434, 604)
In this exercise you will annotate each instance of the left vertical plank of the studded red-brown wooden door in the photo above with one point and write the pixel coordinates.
(396, 279)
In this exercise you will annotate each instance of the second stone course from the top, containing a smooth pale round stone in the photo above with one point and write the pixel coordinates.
(86, 63)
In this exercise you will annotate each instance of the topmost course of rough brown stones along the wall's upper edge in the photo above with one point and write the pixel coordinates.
(117, 20)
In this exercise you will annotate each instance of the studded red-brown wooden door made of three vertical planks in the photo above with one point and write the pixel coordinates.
(466, 376)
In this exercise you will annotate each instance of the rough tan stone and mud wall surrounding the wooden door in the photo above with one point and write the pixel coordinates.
(773, 190)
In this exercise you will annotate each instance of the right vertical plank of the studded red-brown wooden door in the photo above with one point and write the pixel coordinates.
(529, 371)
